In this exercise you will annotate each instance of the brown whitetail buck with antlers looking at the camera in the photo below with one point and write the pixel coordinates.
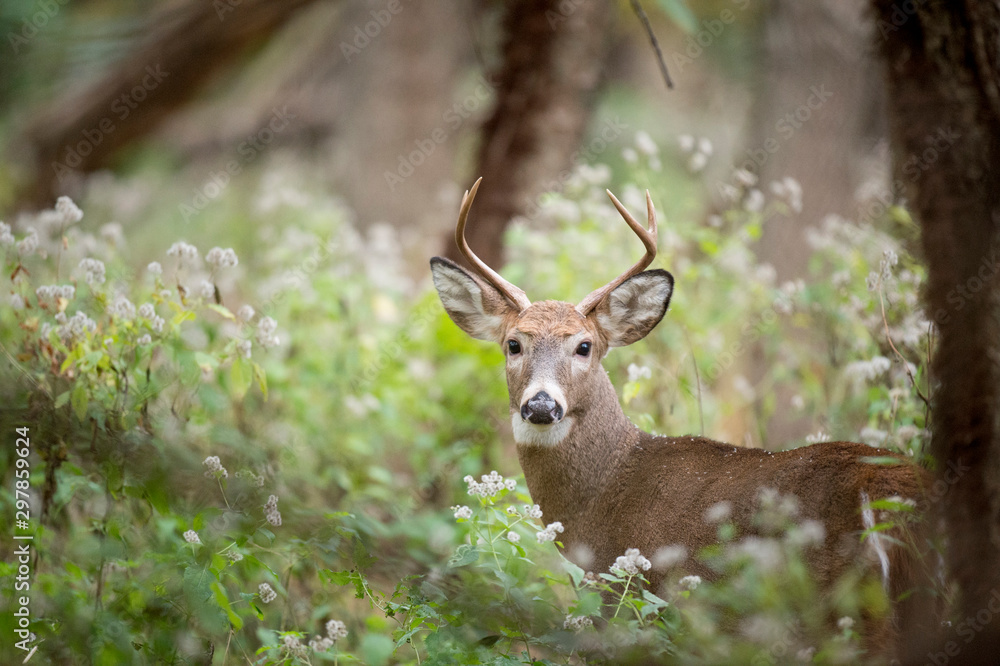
(615, 487)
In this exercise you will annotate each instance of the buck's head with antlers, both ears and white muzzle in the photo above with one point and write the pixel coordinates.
(553, 349)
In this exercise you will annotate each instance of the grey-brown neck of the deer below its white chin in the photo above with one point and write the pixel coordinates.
(566, 478)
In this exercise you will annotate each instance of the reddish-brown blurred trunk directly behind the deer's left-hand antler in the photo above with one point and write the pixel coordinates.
(551, 68)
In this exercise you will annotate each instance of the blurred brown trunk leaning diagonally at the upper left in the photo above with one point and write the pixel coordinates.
(188, 44)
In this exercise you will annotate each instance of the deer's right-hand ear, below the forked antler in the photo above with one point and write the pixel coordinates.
(634, 307)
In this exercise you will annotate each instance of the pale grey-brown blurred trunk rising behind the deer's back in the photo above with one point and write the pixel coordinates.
(815, 117)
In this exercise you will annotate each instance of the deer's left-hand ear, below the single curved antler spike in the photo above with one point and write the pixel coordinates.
(477, 308)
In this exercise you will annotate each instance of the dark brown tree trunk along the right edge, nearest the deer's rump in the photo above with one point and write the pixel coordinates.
(943, 66)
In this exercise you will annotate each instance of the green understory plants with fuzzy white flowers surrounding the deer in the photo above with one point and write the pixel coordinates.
(284, 452)
